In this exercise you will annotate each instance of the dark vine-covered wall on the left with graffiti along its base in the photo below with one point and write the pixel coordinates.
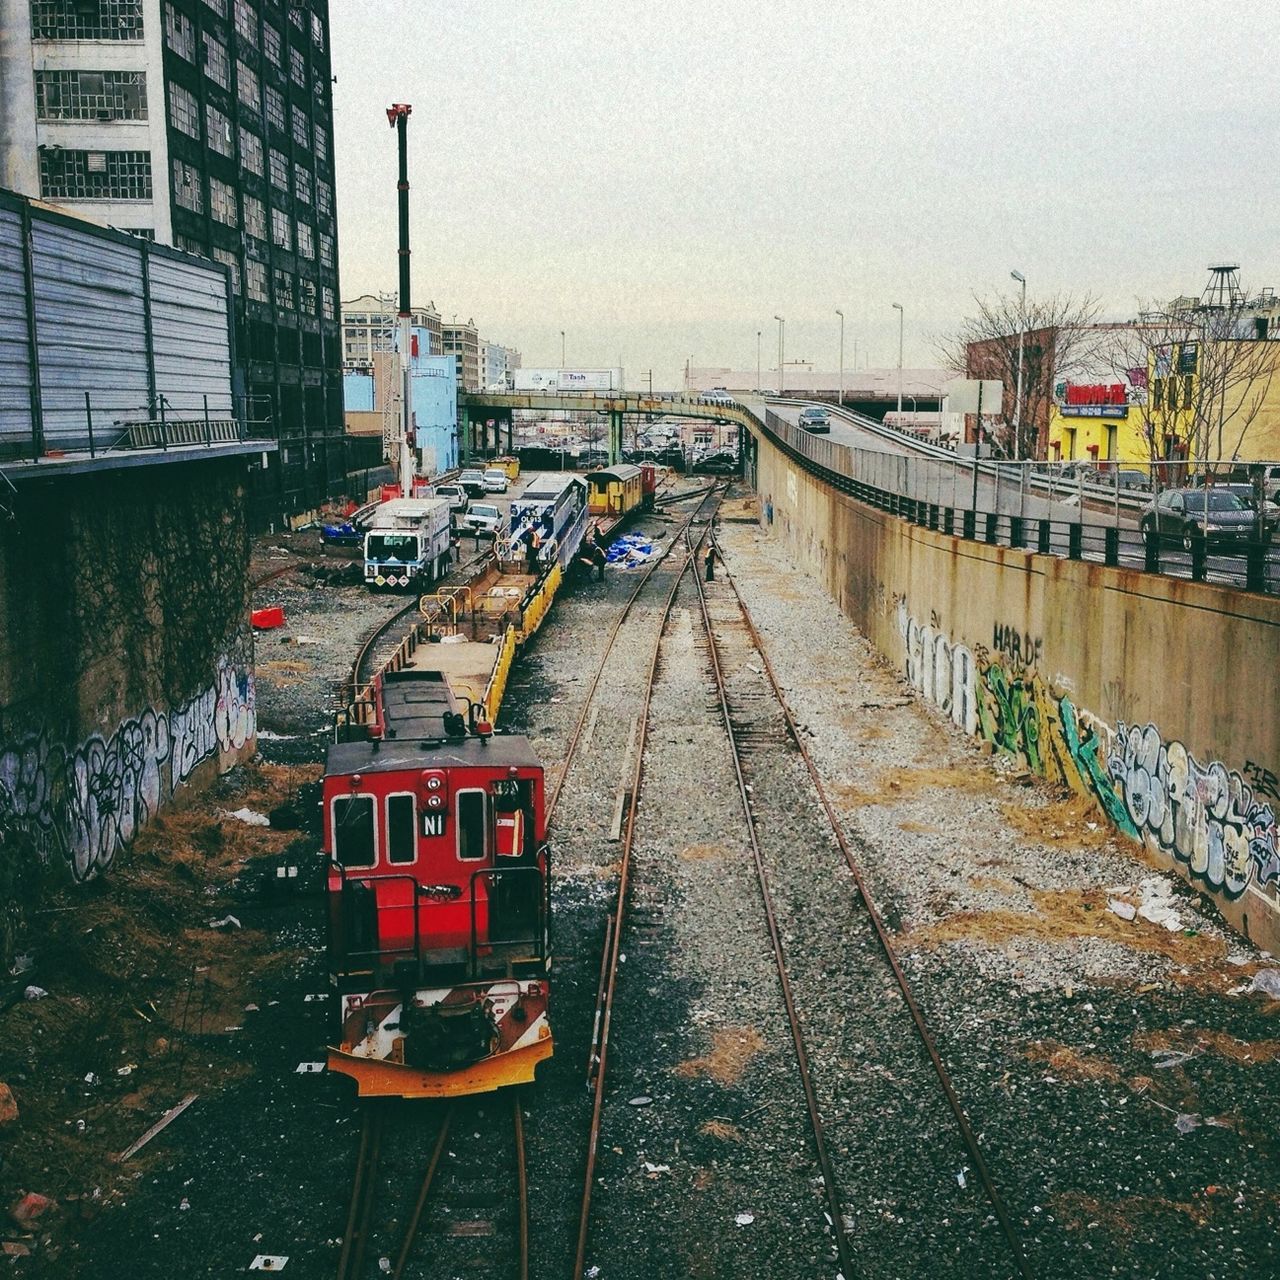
(127, 660)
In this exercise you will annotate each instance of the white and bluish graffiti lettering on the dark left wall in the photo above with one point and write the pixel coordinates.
(88, 802)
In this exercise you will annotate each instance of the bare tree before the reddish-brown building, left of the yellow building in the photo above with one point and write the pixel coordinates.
(1058, 340)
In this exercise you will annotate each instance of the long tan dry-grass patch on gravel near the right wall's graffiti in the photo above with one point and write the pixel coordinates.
(1062, 916)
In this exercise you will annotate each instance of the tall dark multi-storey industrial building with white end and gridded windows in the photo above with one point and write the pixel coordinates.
(207, 125)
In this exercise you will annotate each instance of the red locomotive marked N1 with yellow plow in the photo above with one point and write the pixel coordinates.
(440, 897)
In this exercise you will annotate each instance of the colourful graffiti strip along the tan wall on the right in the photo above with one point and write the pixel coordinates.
(1209, 817)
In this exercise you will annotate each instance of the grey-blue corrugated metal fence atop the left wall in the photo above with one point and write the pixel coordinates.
(140, 330)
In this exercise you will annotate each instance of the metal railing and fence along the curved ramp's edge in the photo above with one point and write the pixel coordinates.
(963, 497)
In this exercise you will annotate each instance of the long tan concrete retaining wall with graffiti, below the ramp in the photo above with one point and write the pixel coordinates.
(1153, 696)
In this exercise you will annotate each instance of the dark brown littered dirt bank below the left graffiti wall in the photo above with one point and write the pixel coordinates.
(147, 999)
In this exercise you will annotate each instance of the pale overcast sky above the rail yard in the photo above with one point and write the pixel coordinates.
(660, 179)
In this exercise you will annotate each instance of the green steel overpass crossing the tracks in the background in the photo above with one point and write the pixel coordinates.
(482, 413)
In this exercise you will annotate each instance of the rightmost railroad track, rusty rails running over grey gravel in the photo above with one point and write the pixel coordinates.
(758, 721)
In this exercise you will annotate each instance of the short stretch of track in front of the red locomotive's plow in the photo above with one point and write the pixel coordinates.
(470, 1210)
